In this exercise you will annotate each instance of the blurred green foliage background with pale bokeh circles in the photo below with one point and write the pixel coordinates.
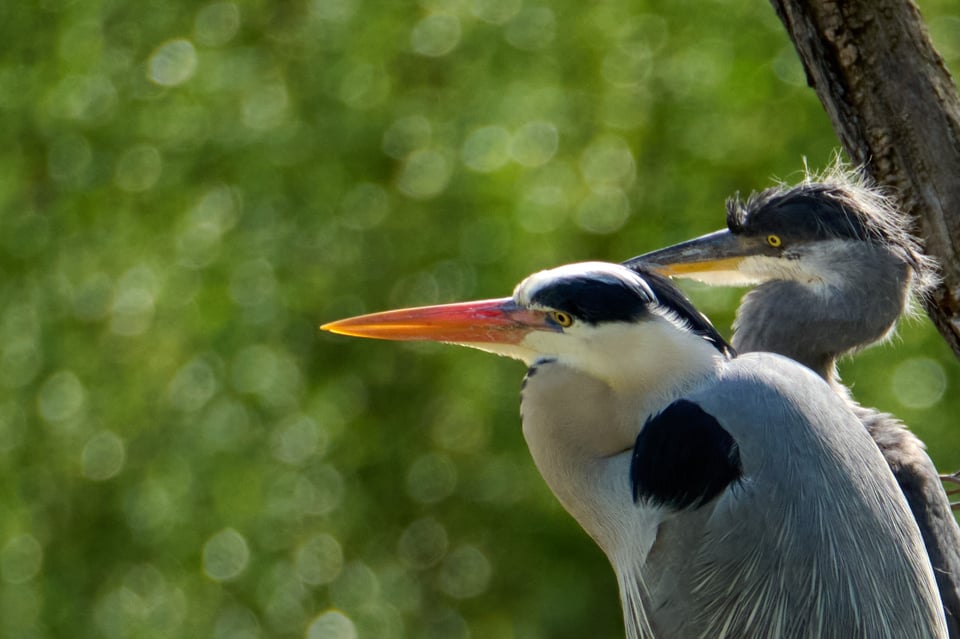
(187, 190)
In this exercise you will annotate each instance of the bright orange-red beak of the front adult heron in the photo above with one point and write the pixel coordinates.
(498, 321)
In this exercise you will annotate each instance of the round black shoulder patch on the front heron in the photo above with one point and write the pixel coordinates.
(683, 458)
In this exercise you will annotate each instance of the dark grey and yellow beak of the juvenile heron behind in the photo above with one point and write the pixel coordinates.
(721, 251)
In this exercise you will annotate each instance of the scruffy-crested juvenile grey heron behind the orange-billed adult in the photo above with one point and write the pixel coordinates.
(835, 266)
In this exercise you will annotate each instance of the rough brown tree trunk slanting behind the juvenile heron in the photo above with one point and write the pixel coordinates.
(896, 110)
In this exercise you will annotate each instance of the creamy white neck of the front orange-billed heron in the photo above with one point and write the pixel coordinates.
(581, 423)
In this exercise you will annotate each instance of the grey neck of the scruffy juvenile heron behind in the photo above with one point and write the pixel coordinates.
(851, 298)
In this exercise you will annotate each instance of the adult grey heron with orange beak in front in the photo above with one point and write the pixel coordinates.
(735, 496)
